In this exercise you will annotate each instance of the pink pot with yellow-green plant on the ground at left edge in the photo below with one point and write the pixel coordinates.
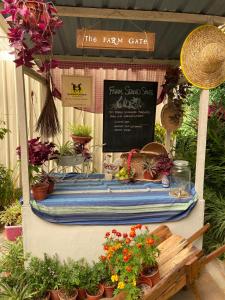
(11, 217)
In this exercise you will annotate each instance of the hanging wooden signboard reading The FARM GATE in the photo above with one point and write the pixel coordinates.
(115, 40)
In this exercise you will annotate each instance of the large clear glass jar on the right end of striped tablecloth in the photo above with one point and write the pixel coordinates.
(180, 179)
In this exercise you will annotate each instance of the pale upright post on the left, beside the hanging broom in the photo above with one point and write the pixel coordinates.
(21, 106)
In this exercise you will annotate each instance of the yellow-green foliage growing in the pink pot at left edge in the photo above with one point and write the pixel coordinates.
(11, 215)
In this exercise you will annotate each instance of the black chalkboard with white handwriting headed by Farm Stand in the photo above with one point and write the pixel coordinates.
(128, 114)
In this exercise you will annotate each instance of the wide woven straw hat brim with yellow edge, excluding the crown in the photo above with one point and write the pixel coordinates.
(190, 57)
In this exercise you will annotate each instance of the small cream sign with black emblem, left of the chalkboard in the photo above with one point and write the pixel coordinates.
(76, 91)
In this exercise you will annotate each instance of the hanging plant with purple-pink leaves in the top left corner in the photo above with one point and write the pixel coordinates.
(32, 26)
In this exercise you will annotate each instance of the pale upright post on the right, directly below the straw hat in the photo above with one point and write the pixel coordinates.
(201, 143)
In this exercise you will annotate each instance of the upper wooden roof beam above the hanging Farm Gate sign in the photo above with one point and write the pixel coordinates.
(142, 15)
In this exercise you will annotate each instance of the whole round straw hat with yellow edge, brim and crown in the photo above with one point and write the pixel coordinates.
(203, 57)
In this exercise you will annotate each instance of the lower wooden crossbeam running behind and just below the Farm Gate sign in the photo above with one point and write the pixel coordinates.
(118, 60)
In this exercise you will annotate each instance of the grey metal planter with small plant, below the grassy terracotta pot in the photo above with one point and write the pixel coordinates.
(67, 156)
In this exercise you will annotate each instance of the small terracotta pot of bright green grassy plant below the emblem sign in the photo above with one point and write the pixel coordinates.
(80, 134)
